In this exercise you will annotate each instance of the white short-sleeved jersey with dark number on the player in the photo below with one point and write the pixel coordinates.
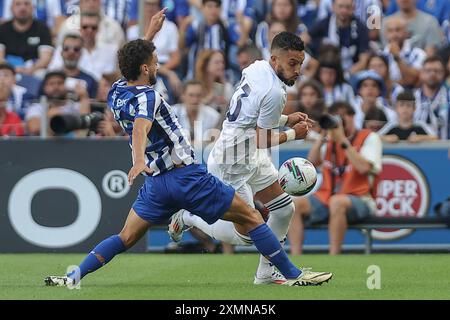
(257, 102)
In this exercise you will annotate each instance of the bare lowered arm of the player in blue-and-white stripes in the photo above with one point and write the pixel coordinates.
(141, 129)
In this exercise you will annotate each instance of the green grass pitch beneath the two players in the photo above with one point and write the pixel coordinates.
(159, 276)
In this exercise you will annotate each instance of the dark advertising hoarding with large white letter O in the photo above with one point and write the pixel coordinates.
(63, 195)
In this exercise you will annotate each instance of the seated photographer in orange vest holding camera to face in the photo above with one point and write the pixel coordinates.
(350, 161)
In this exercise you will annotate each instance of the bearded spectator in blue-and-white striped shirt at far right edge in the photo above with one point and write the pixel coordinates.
(433, 97)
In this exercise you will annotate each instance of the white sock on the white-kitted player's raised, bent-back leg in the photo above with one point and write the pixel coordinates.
(221, 230)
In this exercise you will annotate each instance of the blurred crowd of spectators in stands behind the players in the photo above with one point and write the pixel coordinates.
(388, 59)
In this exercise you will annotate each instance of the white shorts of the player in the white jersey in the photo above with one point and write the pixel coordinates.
(247, 180)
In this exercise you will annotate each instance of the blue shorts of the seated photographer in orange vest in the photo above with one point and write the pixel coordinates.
(320, 213)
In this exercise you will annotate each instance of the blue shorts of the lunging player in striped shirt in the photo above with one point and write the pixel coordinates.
(191, 188)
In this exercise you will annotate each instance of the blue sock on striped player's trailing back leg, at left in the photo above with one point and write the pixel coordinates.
(101, 255)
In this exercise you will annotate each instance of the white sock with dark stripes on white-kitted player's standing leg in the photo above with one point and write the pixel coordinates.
(281, 211)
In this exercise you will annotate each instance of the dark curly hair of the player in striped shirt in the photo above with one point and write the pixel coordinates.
(132, 55)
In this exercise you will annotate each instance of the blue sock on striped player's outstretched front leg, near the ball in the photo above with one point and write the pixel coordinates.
(268, 245)
